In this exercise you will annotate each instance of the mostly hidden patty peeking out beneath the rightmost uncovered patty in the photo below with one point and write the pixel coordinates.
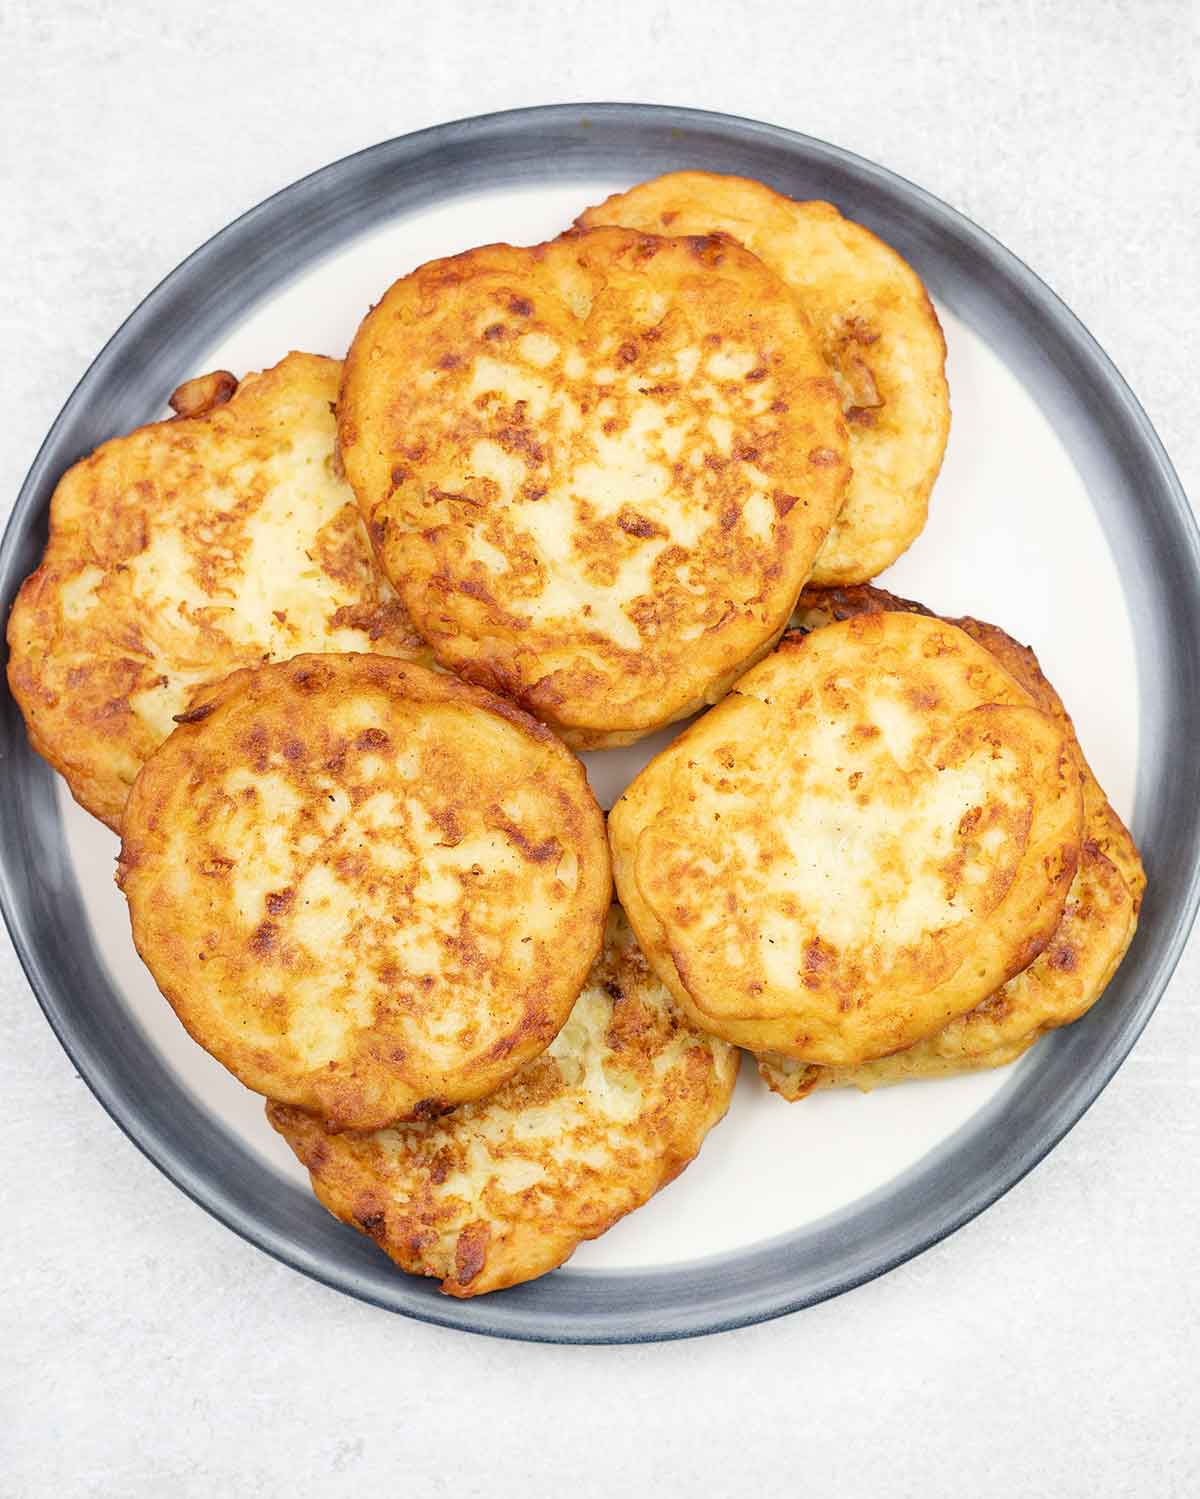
(1070, 975)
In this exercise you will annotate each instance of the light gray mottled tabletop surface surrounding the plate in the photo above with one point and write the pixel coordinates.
(1049, 1348)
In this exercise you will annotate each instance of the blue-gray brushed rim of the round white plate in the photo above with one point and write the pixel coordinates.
(1109, 437)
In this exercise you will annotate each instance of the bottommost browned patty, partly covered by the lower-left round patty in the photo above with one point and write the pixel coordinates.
(506, 1189)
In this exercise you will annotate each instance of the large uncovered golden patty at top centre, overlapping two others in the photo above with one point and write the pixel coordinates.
(597, 470)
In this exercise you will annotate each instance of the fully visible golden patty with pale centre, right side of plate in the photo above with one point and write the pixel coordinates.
(873, 834)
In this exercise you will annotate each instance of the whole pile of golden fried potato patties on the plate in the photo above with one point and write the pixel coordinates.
(324, 647)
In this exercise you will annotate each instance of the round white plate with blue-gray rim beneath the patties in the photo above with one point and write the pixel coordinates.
(1057, 516)
